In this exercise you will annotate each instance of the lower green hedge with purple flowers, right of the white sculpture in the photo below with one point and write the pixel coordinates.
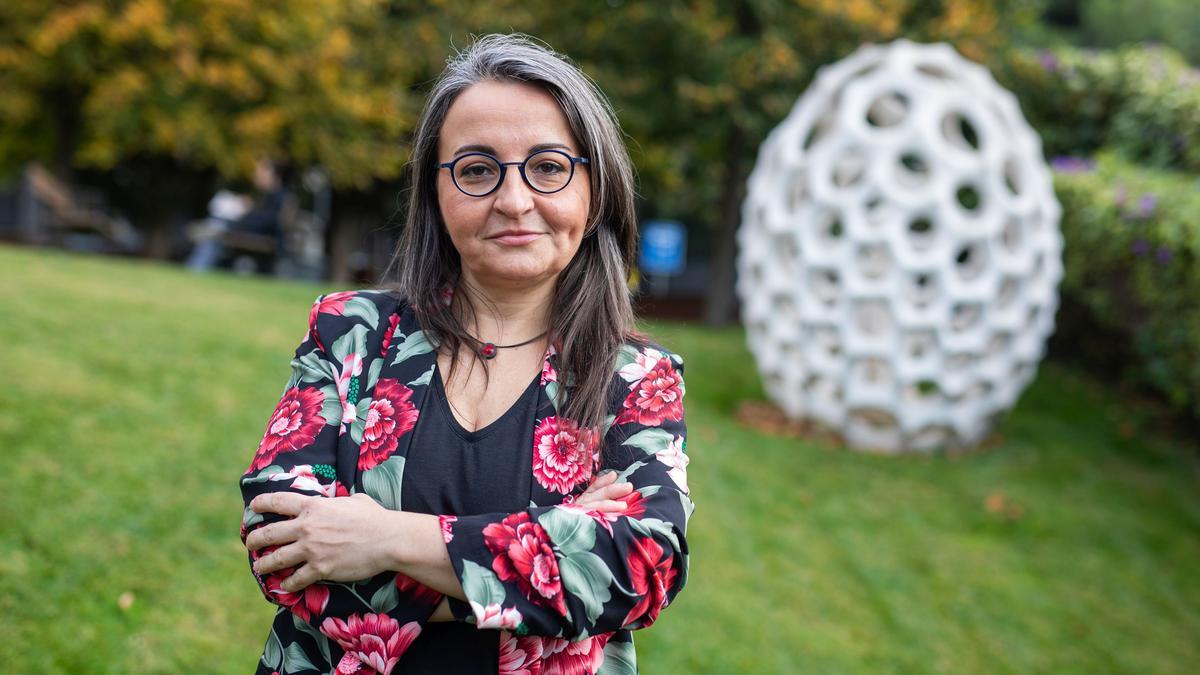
(1132, 284)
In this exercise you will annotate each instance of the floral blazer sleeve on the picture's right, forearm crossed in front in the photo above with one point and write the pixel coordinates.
(569, 572)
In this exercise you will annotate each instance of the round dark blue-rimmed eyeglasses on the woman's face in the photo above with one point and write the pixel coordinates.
(479, 175)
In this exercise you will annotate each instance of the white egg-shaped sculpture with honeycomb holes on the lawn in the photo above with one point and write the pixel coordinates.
(901, 254)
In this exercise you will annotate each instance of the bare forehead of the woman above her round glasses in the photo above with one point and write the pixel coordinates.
(509, 117)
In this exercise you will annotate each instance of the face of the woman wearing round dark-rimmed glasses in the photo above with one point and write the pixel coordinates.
(514, 237)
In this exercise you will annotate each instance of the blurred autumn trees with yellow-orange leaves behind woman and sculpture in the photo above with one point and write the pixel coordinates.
(157, 89)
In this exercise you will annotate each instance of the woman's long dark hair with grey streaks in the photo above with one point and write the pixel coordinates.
(592, 315)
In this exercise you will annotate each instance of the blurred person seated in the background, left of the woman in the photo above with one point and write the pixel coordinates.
(232, 213)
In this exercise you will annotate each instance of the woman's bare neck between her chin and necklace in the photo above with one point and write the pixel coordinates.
(506, 314)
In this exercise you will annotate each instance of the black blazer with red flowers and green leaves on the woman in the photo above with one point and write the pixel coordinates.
(566, 586)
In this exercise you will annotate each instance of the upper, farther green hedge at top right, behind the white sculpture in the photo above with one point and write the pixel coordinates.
(1142, 101)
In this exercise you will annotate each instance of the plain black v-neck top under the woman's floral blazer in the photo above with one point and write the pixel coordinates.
(453, 471)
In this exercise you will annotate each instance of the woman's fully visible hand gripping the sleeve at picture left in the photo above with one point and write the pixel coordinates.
(335, 540)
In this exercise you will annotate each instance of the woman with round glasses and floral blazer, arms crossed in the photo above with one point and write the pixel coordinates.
(482, 471)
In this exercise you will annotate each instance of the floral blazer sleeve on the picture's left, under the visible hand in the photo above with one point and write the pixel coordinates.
(309, 449)
